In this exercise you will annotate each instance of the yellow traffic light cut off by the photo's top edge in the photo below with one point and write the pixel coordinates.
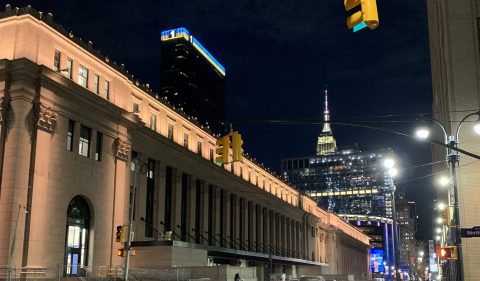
(365, 14)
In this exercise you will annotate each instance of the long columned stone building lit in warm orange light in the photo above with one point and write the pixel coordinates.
(73, 125)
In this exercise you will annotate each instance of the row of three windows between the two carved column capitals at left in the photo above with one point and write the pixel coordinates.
(85, 141)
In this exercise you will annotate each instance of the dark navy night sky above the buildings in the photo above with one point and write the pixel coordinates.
(279, 55)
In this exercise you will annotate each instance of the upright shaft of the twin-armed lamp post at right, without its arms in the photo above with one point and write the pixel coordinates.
(455, 228)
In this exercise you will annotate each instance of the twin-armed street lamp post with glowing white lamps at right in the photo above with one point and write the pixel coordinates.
(453, 157)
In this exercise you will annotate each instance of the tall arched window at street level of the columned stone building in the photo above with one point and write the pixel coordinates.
(78, 226)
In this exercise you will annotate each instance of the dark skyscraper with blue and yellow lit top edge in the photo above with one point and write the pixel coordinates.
(192, 79)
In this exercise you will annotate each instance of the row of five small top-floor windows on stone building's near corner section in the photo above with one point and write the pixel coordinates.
(83, 75)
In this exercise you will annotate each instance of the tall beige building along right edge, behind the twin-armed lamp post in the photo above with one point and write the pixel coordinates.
(454, 51)
